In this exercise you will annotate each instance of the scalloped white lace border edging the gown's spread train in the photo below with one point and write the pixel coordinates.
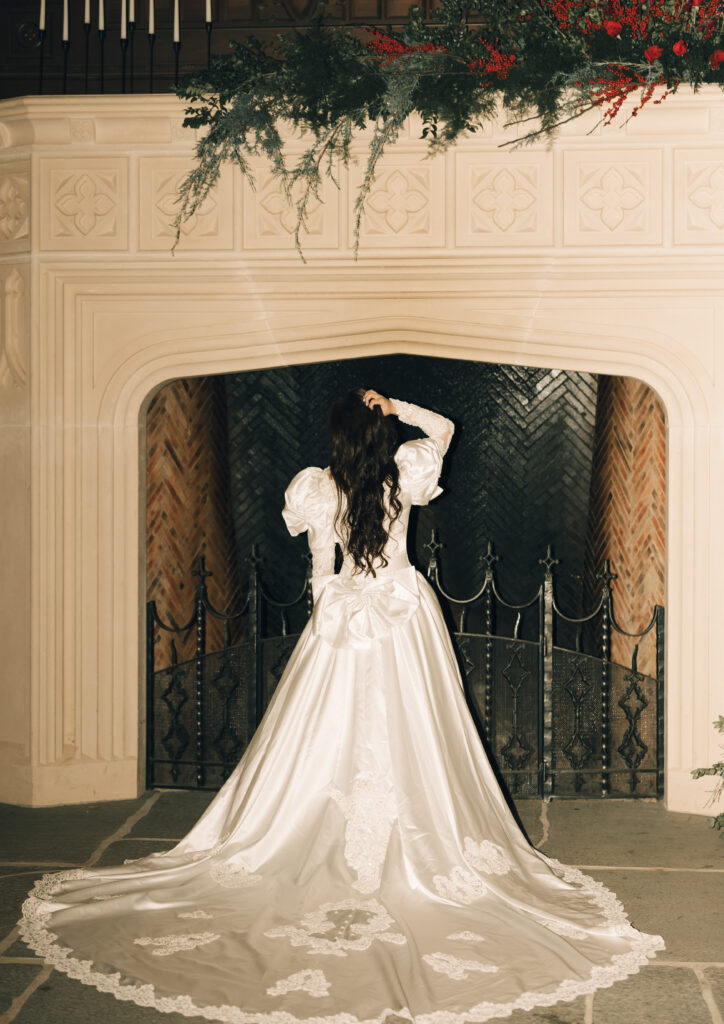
(35, 933)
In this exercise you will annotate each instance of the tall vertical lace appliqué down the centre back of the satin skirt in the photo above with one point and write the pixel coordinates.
(370, 812)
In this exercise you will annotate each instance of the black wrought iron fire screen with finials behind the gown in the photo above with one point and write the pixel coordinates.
(557, 722)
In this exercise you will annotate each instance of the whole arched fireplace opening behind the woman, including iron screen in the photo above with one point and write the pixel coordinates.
(553, 503)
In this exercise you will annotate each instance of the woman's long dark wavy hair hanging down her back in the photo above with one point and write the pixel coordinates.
(364, 444)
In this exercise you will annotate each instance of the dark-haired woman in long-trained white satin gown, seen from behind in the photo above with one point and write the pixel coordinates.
(361, 862)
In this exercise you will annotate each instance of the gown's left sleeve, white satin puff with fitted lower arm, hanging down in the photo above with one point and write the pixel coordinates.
(309, 505)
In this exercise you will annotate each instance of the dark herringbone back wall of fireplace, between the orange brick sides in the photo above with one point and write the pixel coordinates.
(519, 472)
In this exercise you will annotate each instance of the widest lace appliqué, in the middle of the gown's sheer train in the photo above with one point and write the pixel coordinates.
(336, 929)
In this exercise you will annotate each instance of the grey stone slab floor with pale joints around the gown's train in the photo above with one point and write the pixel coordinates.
(667, 869)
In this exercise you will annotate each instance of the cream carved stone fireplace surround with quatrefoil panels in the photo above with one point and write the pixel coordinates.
(605, 253)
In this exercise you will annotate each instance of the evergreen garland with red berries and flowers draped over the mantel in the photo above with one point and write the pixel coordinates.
(545, 62)
